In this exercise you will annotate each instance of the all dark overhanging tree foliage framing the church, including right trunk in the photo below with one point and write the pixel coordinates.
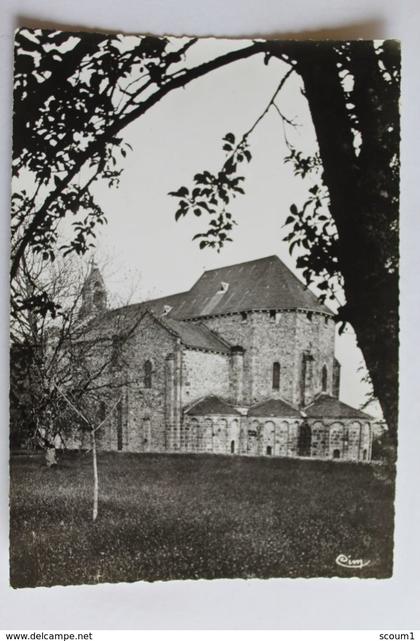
(74, 95)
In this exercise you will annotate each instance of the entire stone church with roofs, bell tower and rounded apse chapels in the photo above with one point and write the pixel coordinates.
(241, 364)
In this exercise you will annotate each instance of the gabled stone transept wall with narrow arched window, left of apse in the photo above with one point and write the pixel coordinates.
(137, 421)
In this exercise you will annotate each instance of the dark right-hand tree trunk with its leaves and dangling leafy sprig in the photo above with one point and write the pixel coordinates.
(346, 231)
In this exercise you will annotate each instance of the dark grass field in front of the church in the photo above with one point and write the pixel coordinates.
(195, 516)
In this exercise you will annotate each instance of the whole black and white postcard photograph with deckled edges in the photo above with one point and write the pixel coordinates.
(204, 308)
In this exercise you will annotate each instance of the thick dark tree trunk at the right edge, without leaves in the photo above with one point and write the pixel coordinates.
(364, 201)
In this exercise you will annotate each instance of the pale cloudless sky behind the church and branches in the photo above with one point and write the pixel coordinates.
(145, 252)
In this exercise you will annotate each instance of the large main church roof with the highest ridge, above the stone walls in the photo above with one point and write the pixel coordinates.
(261, 284)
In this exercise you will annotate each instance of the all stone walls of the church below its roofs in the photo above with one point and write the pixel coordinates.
(149, 417)
